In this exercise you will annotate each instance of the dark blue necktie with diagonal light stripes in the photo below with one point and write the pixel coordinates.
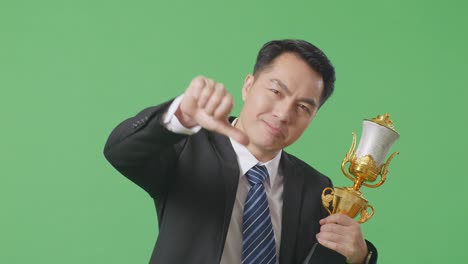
(258, 245)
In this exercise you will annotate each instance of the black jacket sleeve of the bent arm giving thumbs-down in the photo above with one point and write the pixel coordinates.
(144, 151)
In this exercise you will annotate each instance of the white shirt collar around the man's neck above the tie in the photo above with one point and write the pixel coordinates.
(247, 160)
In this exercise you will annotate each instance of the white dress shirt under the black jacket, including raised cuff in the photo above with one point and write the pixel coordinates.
(232, 252)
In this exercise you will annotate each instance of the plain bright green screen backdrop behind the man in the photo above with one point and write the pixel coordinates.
(70, 71)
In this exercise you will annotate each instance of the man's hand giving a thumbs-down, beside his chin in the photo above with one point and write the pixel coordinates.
(207, 104)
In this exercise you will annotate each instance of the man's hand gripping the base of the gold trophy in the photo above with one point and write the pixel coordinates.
(342, 234)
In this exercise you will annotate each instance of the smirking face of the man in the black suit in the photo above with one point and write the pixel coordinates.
(279, 104)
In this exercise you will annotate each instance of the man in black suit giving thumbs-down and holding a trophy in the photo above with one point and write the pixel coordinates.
(224, 189)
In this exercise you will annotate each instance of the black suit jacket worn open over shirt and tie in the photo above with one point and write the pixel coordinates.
(193, 181)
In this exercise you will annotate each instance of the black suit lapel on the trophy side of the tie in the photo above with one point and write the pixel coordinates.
(292, 205)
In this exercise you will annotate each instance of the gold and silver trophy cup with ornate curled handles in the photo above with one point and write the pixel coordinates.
(366, 164)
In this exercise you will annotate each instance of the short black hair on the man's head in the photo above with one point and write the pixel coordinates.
(312, 55)
